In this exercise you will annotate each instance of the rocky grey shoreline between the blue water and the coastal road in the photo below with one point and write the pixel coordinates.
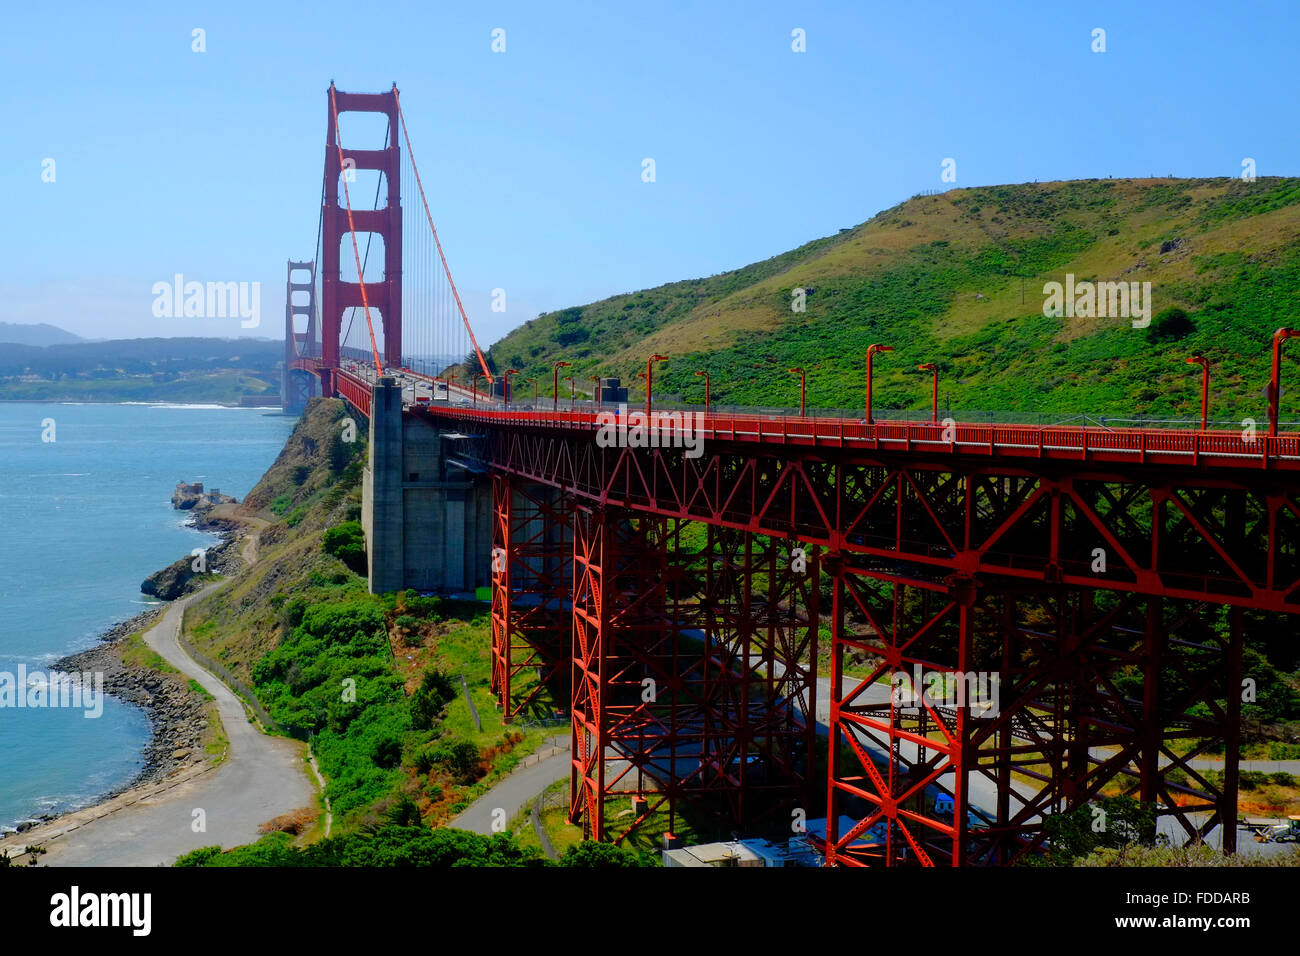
(177, 715)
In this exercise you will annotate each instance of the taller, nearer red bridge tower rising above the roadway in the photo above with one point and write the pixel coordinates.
(337, 295)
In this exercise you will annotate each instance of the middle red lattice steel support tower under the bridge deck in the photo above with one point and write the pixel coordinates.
(694, 673)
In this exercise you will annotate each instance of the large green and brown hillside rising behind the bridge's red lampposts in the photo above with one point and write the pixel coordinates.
(957, 280)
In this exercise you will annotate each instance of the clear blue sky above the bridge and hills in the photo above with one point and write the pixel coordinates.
(210, 165)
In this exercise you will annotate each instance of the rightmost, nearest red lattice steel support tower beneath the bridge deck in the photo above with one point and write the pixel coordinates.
(1094, 690)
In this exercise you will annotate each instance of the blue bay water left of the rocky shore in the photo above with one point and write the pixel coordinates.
(84, 520)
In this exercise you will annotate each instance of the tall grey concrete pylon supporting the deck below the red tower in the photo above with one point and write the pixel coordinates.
(426, 512)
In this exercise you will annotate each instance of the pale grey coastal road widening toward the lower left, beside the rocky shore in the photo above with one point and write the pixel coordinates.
(262, 778)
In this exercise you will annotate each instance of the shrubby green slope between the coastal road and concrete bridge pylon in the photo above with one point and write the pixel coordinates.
(374, 682)
